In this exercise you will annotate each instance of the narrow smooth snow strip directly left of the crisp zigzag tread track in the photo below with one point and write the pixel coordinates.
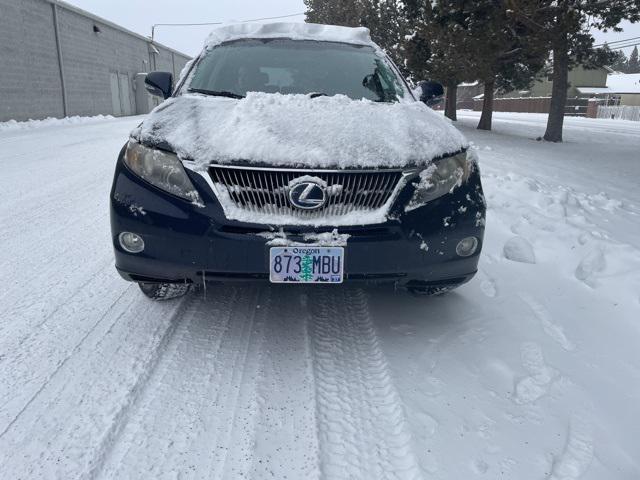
(286, 438)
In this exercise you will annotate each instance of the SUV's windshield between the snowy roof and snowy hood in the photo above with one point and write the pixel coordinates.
(296, 66)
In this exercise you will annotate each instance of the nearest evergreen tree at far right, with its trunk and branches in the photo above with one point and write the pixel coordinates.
(566, 24)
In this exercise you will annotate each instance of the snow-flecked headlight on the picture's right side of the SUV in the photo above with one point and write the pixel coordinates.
(440, 178)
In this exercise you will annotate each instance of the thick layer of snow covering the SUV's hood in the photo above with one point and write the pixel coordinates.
(298, 131)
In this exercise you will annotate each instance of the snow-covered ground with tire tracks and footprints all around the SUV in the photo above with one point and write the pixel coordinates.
(531, 371)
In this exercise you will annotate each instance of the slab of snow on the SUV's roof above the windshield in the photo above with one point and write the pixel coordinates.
(296, 31)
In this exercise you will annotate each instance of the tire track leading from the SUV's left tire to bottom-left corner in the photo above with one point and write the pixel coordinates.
(59, 431)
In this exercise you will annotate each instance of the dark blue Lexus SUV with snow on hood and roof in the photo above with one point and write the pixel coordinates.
(294, 153)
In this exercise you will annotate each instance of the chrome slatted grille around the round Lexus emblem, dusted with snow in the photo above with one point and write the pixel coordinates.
(266, 190)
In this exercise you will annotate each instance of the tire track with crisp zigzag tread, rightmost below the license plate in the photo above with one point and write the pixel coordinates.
(361, 422)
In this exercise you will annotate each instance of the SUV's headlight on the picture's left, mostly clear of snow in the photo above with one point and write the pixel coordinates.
(161, 169)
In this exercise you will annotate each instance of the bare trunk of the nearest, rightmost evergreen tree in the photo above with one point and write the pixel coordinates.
(559, 90)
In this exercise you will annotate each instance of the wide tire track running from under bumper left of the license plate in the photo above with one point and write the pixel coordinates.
(197, 414)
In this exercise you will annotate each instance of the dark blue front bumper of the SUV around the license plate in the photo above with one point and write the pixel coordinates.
(184, 242)
